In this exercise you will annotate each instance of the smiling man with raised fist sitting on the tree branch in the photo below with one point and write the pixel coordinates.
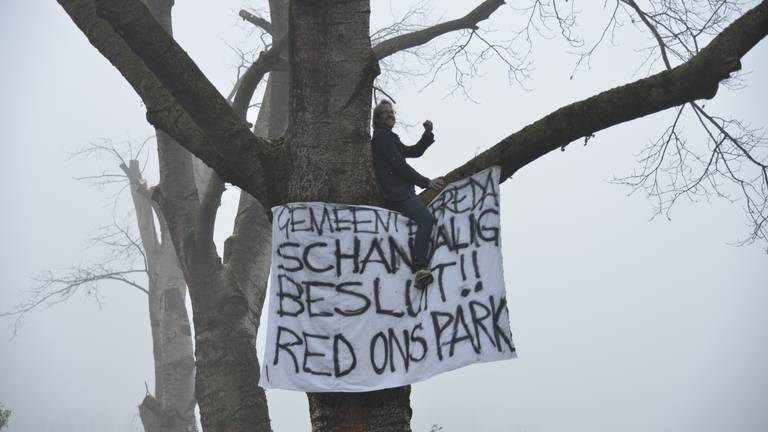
(396, 180)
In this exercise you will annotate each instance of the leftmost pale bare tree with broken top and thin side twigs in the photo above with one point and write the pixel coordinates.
(145, 262)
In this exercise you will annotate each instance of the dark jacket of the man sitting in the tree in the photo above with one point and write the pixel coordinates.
(395, 177)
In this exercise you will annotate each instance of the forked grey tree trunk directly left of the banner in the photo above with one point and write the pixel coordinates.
(226, 297)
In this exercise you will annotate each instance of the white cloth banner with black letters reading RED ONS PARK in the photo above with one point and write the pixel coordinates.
(344, 315)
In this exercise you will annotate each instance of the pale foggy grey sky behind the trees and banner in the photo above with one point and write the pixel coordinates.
(621, 322)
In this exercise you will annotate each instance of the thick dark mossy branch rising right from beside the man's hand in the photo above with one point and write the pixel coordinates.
(698, 78)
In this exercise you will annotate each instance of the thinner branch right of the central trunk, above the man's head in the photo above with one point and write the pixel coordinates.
(420, 37)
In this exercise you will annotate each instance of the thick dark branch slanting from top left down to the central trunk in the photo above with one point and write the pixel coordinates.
(179, 99)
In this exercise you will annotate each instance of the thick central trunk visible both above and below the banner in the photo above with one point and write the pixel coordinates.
(332, 71)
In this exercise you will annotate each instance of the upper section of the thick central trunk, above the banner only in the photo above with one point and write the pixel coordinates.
(332, 68)
